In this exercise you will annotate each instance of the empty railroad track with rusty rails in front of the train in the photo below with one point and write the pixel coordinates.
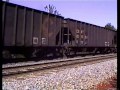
(10, 71)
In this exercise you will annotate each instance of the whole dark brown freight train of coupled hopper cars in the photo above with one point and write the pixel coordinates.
(35, 33)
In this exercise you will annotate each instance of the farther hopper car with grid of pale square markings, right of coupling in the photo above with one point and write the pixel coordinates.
(81, 37)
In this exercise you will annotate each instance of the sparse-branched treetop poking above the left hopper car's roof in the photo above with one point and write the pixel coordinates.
(51, 9)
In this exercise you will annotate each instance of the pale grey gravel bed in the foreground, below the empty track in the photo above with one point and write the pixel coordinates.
(71, 78)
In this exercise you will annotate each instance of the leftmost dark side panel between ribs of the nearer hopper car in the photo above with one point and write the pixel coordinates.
(10, 25)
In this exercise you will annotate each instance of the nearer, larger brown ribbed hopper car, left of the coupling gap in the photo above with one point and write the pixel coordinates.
(29, 32)
